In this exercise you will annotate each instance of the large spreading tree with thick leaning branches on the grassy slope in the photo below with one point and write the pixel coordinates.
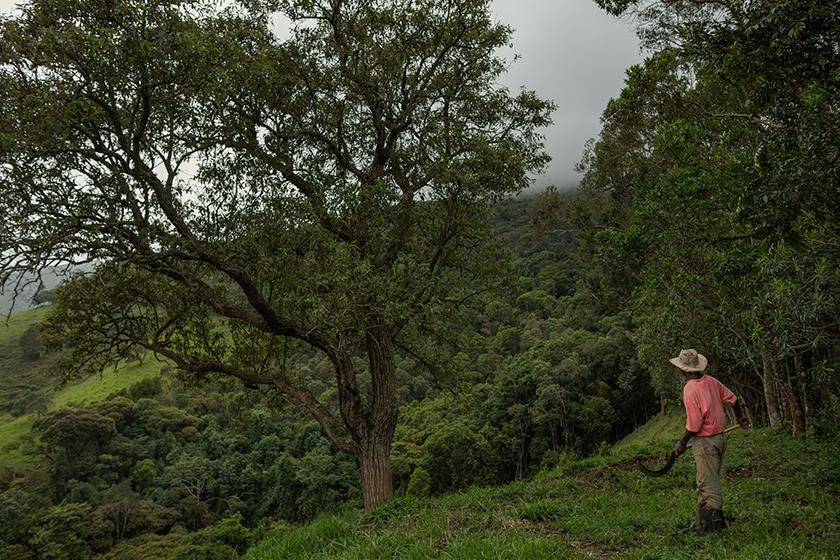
(244, 195)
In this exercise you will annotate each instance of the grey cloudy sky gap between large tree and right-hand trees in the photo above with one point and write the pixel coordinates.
(572, 53)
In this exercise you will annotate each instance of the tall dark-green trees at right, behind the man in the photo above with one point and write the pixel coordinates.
(712, 196)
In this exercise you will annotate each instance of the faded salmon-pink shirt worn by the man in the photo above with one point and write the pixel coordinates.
(703, 399)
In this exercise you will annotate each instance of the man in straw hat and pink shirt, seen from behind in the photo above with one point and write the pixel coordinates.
(703, 396)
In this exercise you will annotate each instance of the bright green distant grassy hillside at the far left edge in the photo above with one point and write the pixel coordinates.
(24, 380)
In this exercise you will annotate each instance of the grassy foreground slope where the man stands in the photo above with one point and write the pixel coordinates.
(781, 497)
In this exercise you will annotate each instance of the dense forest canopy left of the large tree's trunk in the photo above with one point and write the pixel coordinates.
(167, 472)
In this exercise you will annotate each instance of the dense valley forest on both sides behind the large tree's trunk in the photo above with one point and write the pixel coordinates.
(166, 468)
